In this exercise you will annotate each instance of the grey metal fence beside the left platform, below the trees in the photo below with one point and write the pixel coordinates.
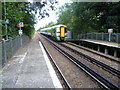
(10, 46)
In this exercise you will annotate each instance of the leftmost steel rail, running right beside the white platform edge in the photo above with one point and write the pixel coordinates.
(60, 72)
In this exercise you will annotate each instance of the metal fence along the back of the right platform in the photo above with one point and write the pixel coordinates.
(114, 37)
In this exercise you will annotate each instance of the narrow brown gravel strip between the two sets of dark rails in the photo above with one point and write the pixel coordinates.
(93, 66)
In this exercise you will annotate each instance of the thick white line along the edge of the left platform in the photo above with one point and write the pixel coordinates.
(54, 77)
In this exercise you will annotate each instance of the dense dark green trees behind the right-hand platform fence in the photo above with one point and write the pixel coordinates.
(88, 17)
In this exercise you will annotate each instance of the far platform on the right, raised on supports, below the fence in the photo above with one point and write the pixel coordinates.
(106, 47)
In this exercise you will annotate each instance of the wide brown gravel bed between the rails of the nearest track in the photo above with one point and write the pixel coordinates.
(75, 76)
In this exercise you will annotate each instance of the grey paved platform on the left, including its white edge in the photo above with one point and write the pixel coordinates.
(30, 68)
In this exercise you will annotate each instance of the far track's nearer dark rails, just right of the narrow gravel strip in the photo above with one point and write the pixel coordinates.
(102, 65)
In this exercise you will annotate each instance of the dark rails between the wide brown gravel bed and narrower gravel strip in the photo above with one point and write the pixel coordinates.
(104, 82)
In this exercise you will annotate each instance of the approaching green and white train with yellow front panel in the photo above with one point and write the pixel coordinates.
(58, 32)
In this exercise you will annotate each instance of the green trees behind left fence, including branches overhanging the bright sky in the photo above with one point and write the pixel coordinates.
(23, 12)
